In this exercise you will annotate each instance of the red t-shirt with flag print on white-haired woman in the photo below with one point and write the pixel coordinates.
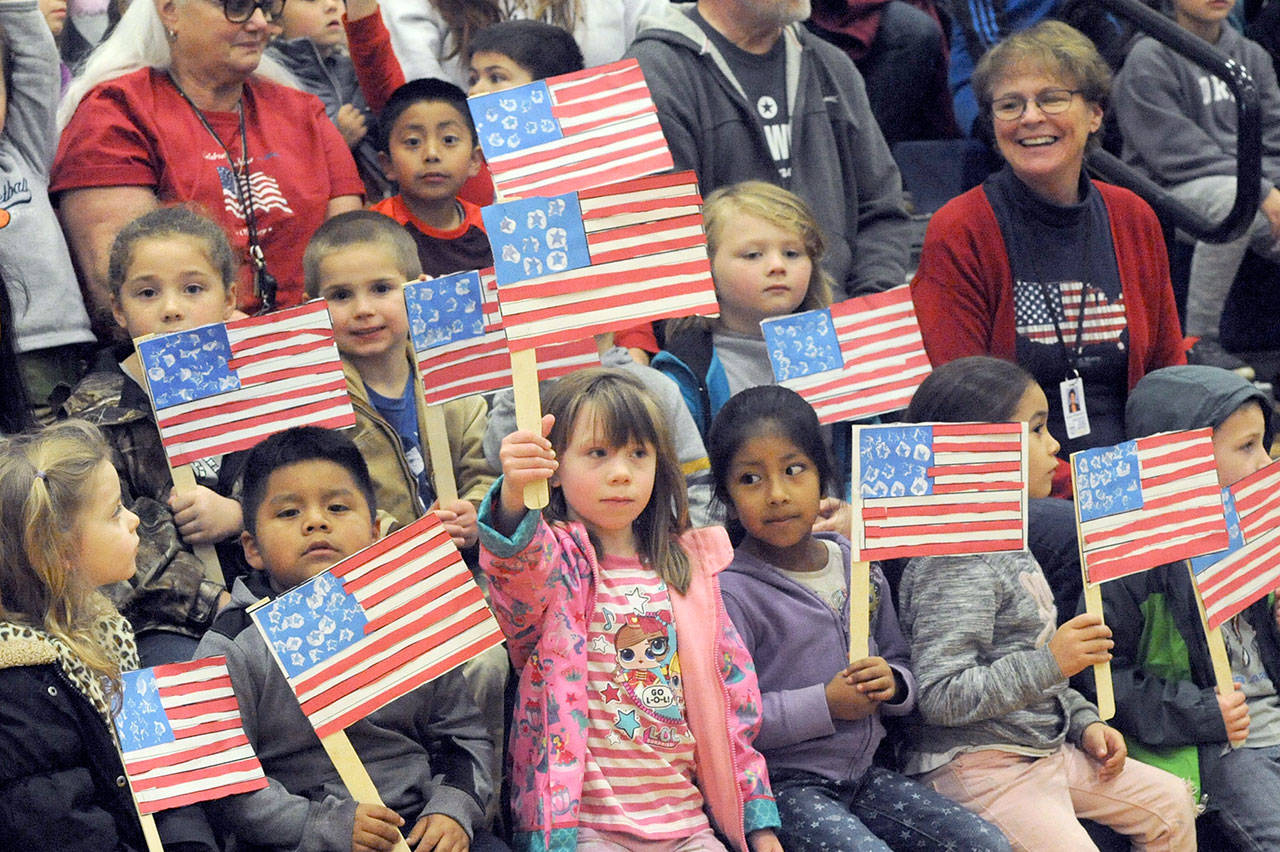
(138, 131)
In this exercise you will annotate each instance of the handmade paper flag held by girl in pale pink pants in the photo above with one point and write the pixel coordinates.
(1148, 502)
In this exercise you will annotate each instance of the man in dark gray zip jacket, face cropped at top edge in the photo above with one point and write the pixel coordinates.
(744, 94)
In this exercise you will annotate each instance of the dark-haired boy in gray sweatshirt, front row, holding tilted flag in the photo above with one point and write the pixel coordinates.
(308, 505)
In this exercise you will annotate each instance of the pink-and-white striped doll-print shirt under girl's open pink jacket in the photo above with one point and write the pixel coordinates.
(639, 775)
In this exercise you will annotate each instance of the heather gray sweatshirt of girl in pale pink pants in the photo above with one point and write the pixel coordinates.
(980, 629)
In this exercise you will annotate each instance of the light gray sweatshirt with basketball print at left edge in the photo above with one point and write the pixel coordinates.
(34, 259)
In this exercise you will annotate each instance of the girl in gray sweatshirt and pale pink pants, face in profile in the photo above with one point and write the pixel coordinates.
(1000, 730)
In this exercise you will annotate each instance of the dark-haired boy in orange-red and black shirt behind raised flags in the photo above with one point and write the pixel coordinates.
(428, 146)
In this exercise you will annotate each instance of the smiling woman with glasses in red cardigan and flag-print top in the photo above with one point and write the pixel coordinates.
(1008, 267)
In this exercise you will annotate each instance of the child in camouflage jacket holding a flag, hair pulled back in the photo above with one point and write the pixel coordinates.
(171, 271)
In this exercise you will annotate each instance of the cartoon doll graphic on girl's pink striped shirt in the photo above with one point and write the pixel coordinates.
(648, 668)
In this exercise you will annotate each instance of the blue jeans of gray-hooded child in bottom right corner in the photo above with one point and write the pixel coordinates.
(1245, 786)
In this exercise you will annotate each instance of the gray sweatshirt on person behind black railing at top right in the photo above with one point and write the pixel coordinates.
(1180, 121)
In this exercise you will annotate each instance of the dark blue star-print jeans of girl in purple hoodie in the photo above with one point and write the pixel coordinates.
(883, 810)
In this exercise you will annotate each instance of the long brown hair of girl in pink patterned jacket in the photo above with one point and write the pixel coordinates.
(623, 413)
